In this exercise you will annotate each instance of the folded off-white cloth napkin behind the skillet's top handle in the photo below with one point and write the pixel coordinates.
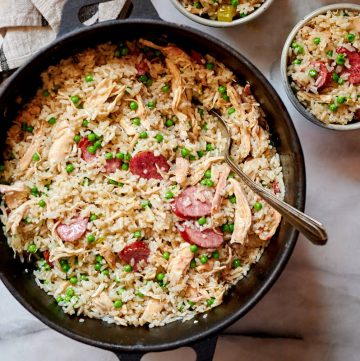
(28, 25)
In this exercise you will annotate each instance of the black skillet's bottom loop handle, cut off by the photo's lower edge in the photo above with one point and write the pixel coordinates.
(204, 349)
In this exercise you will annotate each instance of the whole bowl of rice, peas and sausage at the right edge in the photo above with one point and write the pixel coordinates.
(320, 66)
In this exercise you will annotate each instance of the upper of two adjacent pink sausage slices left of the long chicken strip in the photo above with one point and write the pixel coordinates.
(193, 202)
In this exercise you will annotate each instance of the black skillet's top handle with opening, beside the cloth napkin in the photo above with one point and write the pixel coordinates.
(140, 9)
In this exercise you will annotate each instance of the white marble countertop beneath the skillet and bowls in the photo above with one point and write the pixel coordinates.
(313, 311)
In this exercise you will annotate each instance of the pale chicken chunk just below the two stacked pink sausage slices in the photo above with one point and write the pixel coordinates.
(179, 263)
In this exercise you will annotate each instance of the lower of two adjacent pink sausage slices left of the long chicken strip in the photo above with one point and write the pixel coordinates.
(207, 238)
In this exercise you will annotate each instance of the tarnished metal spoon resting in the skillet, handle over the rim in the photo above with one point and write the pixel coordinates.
(309, 227)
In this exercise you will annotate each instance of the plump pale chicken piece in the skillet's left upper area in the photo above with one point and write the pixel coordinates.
(62, 143)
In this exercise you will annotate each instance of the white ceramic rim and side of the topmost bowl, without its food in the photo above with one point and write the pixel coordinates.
(222, 24)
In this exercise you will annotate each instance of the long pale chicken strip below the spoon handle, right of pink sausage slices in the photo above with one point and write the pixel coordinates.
(242, 214)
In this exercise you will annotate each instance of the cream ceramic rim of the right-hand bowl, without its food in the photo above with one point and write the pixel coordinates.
(284, 62)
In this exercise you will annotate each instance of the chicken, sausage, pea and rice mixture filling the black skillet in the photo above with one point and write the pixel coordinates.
(115, 184)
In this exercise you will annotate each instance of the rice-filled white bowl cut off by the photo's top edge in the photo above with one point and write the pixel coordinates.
(222, 13)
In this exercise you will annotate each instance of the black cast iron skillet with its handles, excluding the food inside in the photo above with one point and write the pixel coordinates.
(131, 343)
